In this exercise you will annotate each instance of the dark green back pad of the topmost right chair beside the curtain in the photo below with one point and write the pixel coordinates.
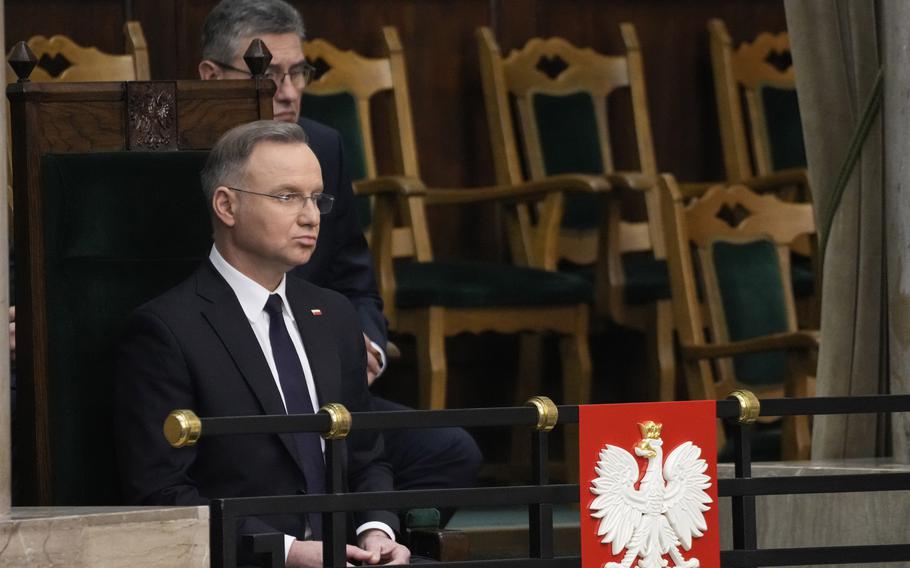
(784, 128)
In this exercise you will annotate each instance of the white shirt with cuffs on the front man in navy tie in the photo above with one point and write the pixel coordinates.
(252, 298)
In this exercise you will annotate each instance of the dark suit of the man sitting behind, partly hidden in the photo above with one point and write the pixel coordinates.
(420, 459)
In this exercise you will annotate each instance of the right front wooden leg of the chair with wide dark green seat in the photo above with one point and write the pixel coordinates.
(576, 377)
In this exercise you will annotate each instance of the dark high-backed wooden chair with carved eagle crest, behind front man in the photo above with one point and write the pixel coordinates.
(108, 215)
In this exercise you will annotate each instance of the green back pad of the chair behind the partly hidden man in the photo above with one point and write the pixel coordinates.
(339, 111)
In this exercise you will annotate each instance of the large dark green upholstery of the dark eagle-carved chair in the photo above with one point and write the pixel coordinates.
(120, 228)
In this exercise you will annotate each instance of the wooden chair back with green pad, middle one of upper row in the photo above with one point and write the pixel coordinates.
(558, 93)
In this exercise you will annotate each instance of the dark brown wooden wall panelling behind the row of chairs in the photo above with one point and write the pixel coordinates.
(438, 37)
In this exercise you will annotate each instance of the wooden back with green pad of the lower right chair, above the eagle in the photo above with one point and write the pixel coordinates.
(730, 264)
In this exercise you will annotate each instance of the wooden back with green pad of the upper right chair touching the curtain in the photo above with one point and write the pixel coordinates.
(757, 106)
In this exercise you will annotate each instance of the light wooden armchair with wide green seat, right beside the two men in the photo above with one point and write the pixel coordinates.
(433, 299)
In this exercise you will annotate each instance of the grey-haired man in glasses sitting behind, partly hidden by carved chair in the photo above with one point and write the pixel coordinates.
(420, 459)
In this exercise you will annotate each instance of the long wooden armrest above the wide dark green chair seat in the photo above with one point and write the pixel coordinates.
(526, 191)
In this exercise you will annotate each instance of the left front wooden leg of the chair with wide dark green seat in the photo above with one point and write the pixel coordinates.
(431, 359)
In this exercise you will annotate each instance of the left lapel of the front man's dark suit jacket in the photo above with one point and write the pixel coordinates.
(229, 322)
